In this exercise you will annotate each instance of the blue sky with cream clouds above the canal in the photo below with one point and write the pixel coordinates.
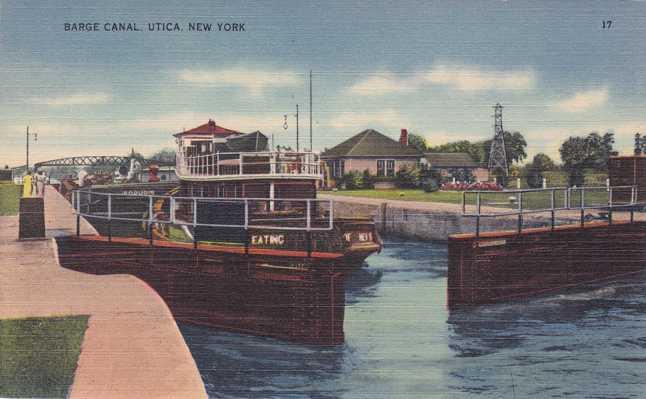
(436, 68)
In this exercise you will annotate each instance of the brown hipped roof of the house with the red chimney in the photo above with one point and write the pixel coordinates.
(370, 143)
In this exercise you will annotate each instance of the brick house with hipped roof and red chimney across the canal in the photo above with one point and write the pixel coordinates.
(373, 151)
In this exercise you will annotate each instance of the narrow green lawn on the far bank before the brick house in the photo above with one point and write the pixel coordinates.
(531, 200)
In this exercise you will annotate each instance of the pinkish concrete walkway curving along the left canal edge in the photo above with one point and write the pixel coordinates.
(132, 347)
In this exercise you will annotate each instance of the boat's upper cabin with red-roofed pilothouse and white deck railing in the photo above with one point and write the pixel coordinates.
(213, 161)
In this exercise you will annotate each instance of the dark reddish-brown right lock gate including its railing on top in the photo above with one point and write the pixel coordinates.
(492, 266)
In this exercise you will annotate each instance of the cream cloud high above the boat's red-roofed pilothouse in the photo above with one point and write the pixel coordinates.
(254, 81)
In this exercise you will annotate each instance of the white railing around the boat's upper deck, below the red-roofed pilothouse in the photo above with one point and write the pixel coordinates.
(227, 164)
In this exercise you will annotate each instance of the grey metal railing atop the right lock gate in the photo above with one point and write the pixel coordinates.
(557, 199)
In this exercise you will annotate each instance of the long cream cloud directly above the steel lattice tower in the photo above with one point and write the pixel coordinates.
(469, 78)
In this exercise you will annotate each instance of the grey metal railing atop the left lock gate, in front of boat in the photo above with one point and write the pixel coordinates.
(239, 213)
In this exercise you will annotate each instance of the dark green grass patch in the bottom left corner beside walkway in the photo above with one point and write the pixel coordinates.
(38, 356)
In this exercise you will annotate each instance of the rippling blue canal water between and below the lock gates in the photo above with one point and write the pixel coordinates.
(402, 342)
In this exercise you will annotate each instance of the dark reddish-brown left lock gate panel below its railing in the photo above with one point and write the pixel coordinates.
(291, 298)
